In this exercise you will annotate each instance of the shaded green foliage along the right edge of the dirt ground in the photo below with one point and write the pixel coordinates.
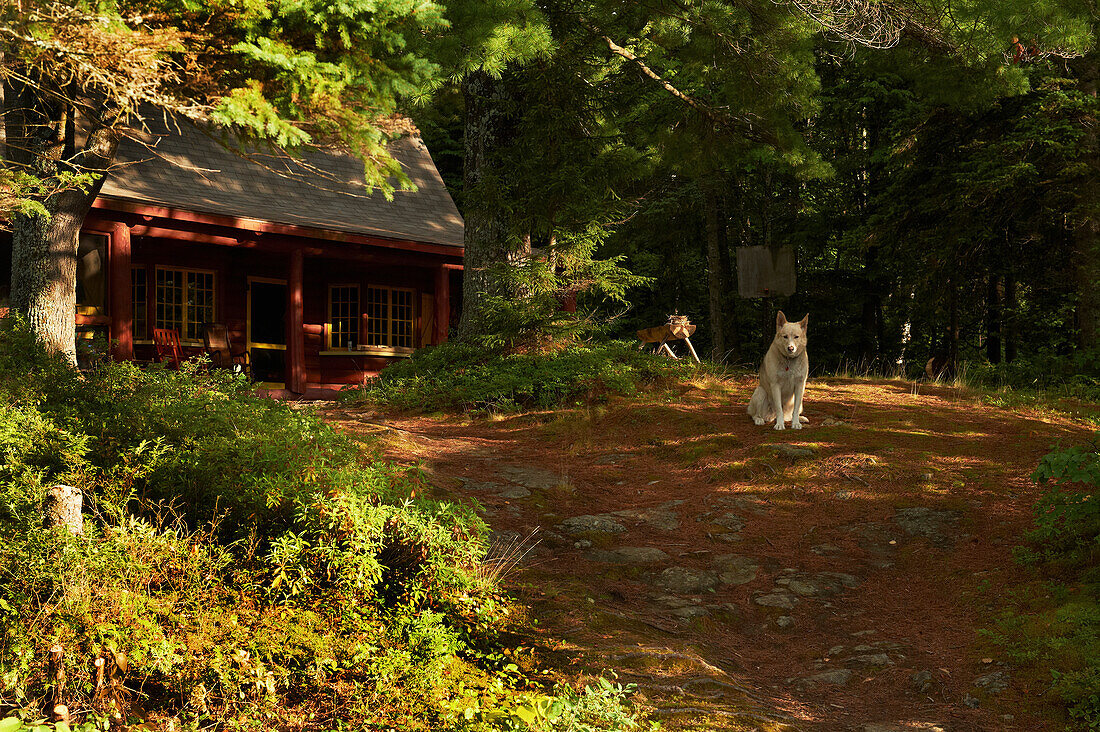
(1058, 628)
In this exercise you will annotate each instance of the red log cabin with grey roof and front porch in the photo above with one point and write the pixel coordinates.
(323, 285)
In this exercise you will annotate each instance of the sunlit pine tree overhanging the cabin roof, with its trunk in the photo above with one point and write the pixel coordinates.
(79, 75)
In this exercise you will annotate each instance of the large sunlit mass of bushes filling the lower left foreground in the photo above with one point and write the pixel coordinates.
(243, 564)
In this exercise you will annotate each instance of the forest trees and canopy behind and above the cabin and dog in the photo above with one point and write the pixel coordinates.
(936, 178)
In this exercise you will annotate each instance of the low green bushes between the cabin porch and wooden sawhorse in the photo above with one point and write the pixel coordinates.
(468, 377)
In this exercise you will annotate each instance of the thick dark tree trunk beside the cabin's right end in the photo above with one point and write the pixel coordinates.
(488, 246)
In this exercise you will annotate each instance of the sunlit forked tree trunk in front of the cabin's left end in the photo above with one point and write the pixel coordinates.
(41, 135)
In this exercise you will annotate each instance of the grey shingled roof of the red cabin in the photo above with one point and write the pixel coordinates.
(188, 169)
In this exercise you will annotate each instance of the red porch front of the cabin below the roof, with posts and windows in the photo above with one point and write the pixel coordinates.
(316, 310)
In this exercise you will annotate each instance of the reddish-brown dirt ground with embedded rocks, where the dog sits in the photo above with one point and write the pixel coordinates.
(831, 578)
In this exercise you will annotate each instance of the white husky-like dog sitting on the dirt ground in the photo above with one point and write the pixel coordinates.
(783, 377)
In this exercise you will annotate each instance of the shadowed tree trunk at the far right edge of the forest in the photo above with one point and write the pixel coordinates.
(1087, 224)
